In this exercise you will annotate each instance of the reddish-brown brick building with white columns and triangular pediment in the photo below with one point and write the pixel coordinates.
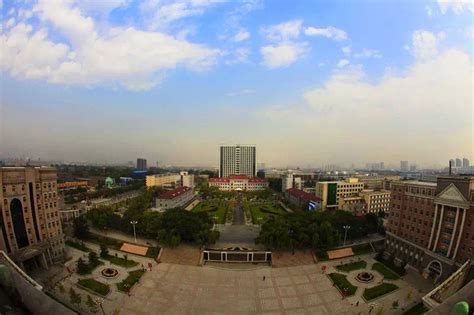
(431, 225)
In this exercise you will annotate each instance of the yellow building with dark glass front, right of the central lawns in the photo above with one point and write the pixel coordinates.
(331, 193)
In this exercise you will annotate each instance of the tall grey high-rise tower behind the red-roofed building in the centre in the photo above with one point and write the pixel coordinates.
(238, 160)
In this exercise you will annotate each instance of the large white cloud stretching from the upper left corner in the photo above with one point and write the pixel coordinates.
(134, 58)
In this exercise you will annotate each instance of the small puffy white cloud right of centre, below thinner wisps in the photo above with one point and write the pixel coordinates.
(283, 54)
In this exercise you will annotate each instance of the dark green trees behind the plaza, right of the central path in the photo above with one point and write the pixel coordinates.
(315, 230)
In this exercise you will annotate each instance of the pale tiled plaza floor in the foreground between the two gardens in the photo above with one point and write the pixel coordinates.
(181, 289)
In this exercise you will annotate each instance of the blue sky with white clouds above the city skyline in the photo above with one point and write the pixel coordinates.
(309, 82)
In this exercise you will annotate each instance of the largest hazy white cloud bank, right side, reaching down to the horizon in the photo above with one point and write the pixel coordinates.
(411, 113)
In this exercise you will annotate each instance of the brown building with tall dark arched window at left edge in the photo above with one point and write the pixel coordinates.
(30, 228)
